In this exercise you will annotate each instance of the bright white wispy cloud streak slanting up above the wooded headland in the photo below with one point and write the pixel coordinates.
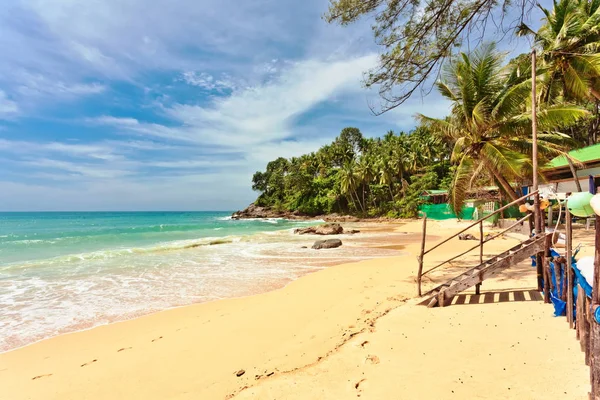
(260, 114)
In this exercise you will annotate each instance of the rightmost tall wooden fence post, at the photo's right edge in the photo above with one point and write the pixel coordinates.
(595, 327)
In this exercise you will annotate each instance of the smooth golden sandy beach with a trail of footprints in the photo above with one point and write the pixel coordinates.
(347, 331)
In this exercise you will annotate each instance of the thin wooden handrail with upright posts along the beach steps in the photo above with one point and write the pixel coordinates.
(480, 244)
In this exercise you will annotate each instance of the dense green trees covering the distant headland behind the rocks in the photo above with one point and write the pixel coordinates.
(353, 174)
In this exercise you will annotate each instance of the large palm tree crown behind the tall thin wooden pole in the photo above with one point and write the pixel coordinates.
(490, 126)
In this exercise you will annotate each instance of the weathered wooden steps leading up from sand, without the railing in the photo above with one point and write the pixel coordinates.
(443, 294)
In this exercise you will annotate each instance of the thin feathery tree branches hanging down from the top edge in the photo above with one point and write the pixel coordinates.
(418, 36)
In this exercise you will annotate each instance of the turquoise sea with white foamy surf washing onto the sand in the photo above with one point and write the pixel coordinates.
(67, 271)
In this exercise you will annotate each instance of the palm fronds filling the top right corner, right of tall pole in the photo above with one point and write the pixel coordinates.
(569, 40)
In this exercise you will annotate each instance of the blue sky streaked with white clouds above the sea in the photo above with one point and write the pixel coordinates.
(174, 104)
